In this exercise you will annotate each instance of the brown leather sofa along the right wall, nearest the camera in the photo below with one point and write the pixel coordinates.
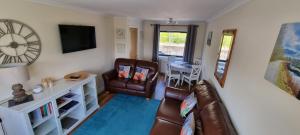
(211, 117)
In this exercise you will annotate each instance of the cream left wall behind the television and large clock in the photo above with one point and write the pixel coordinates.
(44, 20)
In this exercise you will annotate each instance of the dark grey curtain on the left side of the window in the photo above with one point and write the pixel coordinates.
(155, 42)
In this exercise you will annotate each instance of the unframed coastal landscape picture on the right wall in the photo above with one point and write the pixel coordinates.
(284, 66)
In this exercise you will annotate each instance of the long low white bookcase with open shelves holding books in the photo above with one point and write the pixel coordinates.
(55, 111)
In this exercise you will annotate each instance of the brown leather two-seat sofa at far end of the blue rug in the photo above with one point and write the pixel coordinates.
(129, 86)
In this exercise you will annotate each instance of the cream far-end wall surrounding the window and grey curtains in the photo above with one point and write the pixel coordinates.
(148, 37)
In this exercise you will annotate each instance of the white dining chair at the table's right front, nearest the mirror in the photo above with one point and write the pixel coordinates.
(192, 76)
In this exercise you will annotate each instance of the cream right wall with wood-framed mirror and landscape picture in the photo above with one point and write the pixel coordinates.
(256, 106)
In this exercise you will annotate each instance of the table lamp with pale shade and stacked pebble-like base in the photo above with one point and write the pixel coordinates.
(12, 75)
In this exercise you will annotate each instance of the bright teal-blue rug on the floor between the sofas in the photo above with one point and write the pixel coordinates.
(122, 115)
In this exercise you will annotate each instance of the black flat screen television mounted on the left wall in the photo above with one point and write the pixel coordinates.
(76, 38)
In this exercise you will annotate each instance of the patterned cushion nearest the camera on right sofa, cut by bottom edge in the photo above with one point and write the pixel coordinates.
(188, 127)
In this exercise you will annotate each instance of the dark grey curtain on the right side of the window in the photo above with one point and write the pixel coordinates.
(190, 43)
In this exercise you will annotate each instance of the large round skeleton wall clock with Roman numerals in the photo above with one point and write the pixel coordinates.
(19, 43)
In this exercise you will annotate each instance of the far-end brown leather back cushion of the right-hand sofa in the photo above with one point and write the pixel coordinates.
(204, 95)
